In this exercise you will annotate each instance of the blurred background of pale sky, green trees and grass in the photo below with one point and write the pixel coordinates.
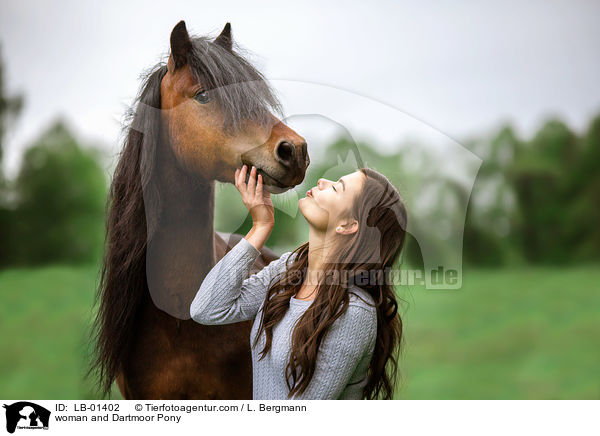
(512, 86)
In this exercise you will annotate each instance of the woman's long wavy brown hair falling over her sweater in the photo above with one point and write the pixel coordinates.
(372, 251)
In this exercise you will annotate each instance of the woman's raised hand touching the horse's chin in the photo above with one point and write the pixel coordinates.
(256, 200)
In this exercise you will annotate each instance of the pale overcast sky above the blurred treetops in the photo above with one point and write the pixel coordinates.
(459, 68)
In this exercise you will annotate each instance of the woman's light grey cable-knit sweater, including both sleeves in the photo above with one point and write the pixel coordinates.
(227, 295)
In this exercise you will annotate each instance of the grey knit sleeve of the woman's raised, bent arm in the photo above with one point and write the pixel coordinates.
(225, 296)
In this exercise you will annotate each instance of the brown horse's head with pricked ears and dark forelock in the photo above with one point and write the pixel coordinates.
(217, 111)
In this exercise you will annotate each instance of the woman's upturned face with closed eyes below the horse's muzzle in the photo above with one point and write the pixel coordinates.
(326, 203)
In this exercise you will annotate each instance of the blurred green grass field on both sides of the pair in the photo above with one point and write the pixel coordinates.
(507, 334)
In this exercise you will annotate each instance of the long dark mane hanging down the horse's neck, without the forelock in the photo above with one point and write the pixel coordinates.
(123, 274)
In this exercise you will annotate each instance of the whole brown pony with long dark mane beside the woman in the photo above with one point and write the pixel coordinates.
(197, 117)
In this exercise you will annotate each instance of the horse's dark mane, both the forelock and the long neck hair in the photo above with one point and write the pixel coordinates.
(241, 94)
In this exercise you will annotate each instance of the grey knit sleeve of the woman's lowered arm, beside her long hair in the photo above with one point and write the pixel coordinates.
(349, 338)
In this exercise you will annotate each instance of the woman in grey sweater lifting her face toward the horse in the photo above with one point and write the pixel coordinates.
(326, 324)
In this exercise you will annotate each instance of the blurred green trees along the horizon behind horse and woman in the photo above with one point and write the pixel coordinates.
(533, 201)
